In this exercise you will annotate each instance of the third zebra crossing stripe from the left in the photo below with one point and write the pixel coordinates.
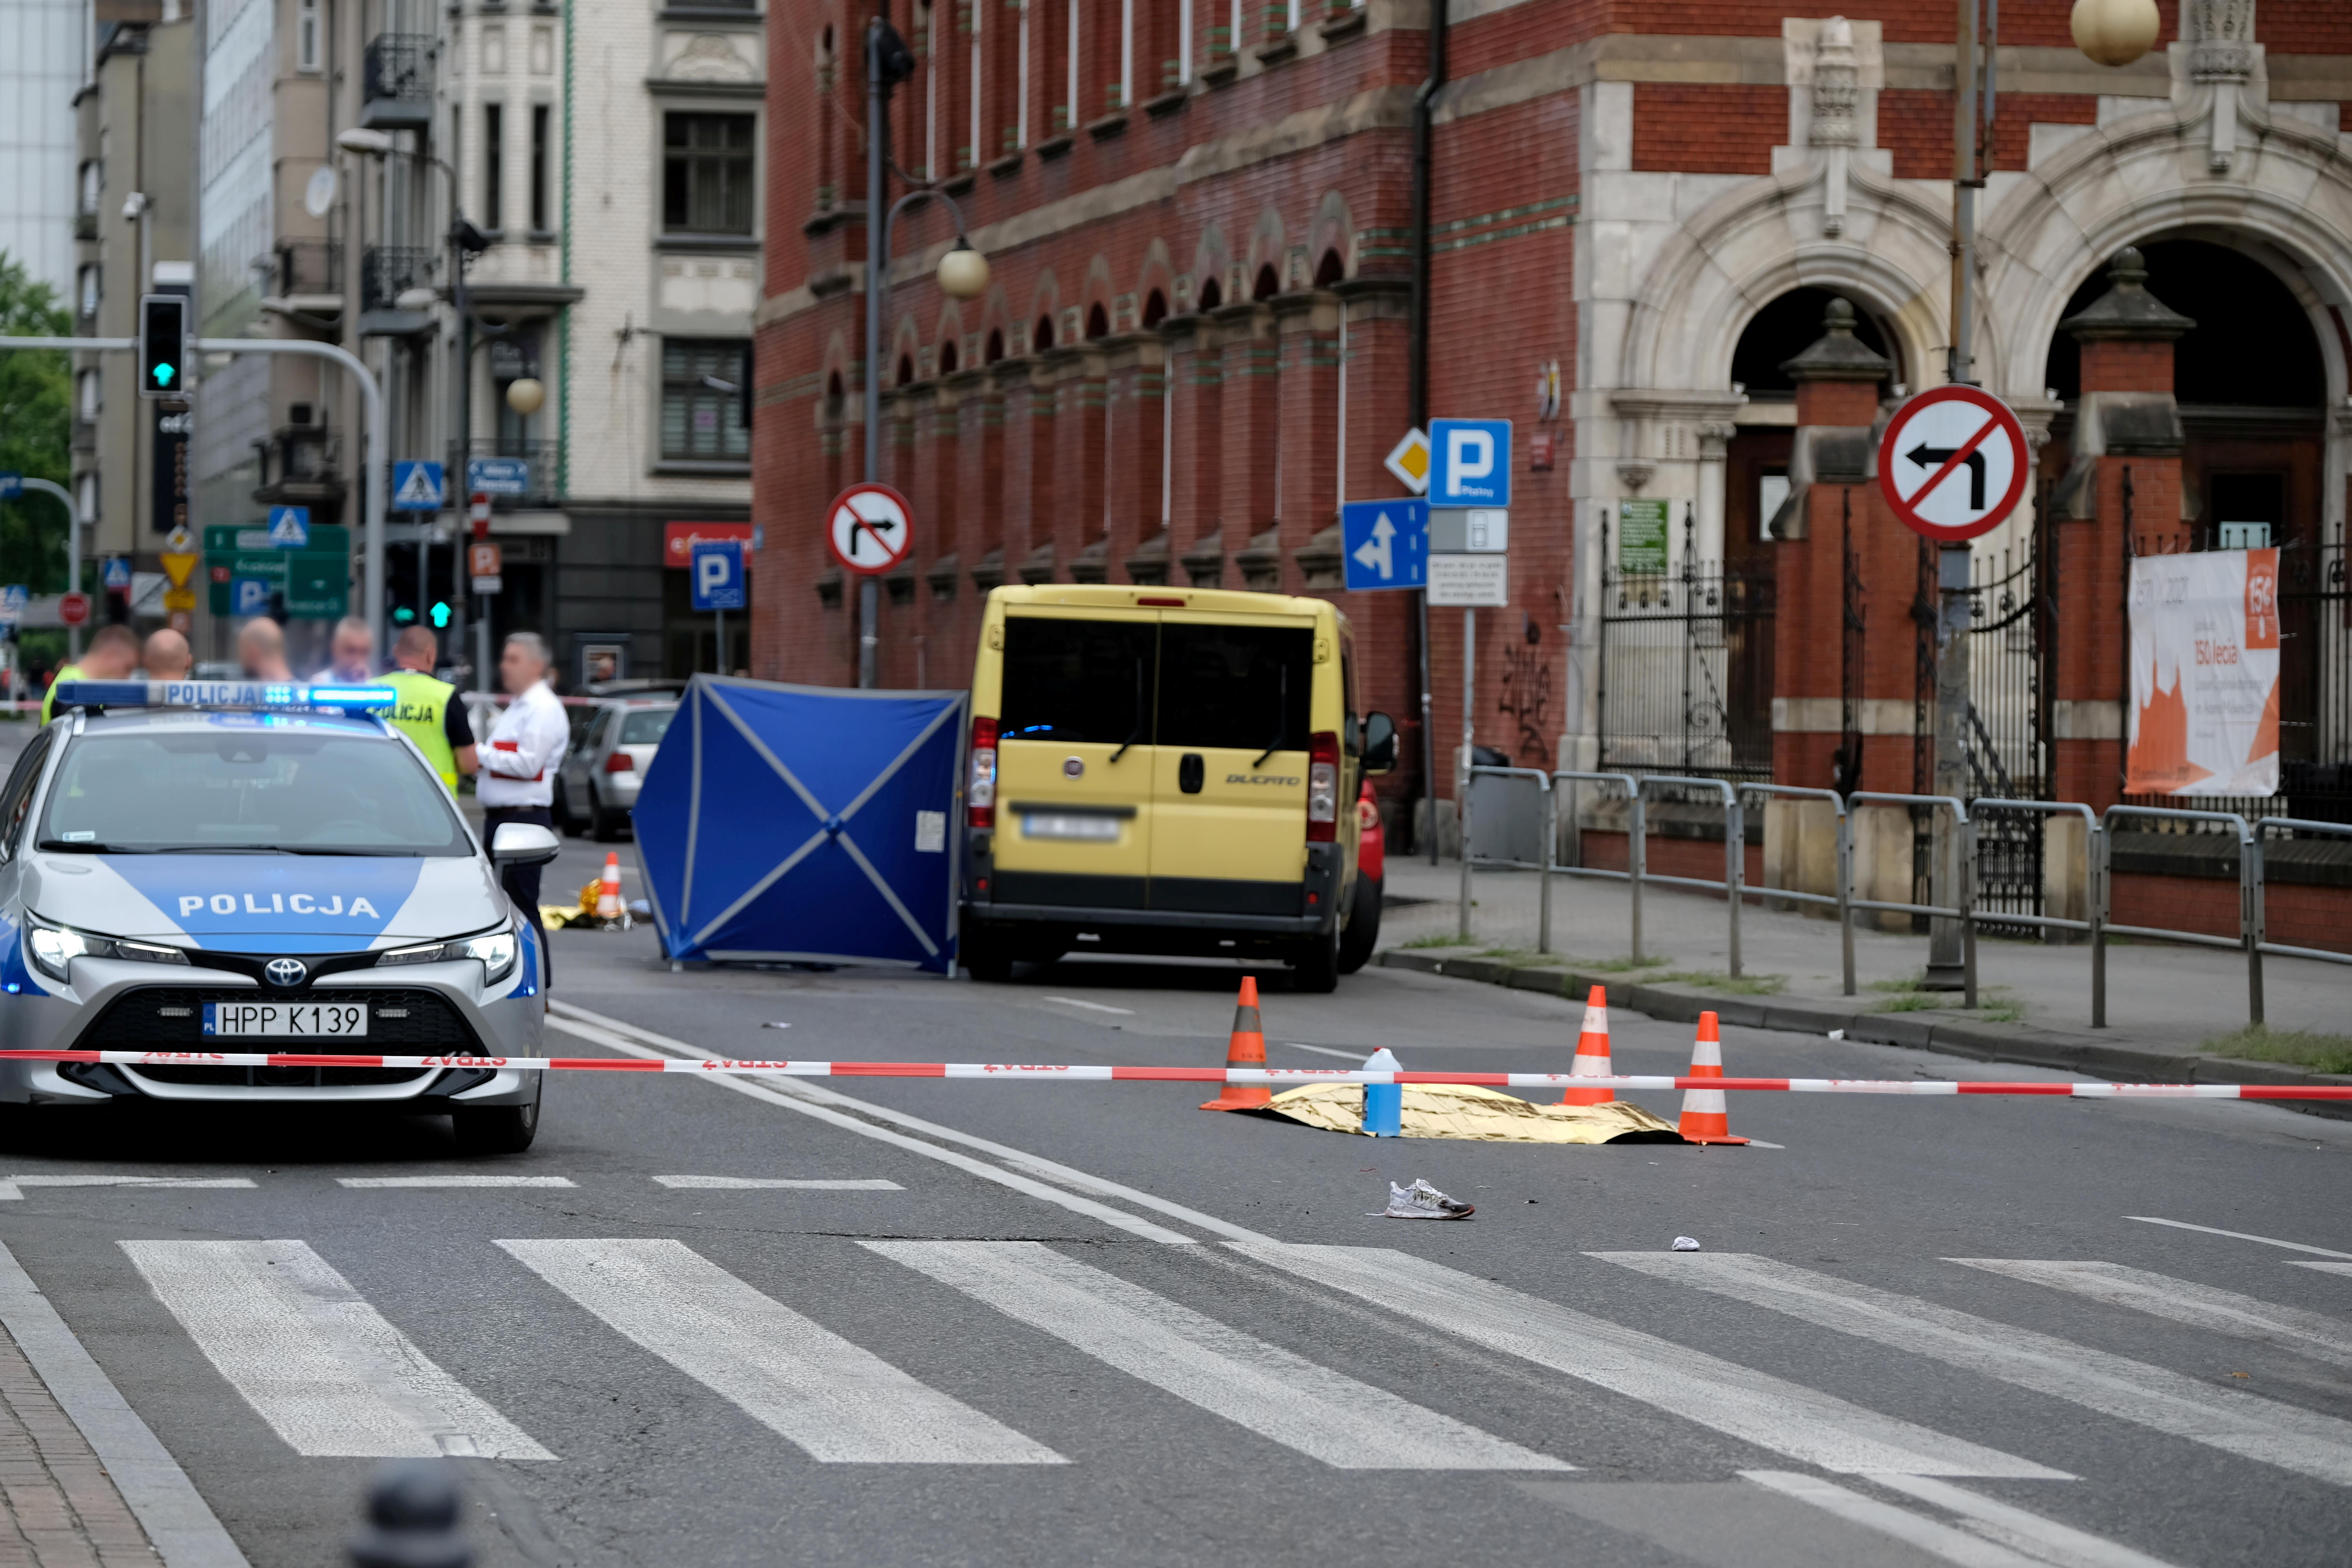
(1257, 1386)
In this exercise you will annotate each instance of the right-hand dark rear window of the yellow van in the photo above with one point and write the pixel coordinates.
(1243, 688)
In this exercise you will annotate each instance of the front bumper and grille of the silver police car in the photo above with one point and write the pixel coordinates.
(415, 1010)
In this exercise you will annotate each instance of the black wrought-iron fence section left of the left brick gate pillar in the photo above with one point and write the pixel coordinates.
(1685, 664)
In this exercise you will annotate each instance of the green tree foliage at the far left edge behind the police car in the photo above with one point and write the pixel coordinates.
(36, 427)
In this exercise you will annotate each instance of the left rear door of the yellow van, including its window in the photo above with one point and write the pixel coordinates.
(1074, 758)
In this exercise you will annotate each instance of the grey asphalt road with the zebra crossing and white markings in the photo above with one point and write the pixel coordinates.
(1093, 1325)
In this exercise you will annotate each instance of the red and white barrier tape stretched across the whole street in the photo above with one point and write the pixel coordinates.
(1281, 1078)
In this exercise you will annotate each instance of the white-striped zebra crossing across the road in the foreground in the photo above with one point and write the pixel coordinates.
(338, 1379)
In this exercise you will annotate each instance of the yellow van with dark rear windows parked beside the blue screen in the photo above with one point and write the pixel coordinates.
(1165, 770)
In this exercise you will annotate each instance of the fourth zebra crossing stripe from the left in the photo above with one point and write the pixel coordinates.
(1732, 1400)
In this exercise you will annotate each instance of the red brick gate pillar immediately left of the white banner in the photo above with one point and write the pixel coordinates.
(2125, 474)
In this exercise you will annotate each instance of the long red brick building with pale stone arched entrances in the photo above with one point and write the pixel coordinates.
(1201, 326)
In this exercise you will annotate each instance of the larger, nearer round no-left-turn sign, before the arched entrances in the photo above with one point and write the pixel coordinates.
(1953, 464)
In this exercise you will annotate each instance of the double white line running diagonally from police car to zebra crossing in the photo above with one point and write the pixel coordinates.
(813, 1101)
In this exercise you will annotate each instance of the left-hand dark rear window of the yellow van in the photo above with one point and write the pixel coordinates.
(1078, 681)
